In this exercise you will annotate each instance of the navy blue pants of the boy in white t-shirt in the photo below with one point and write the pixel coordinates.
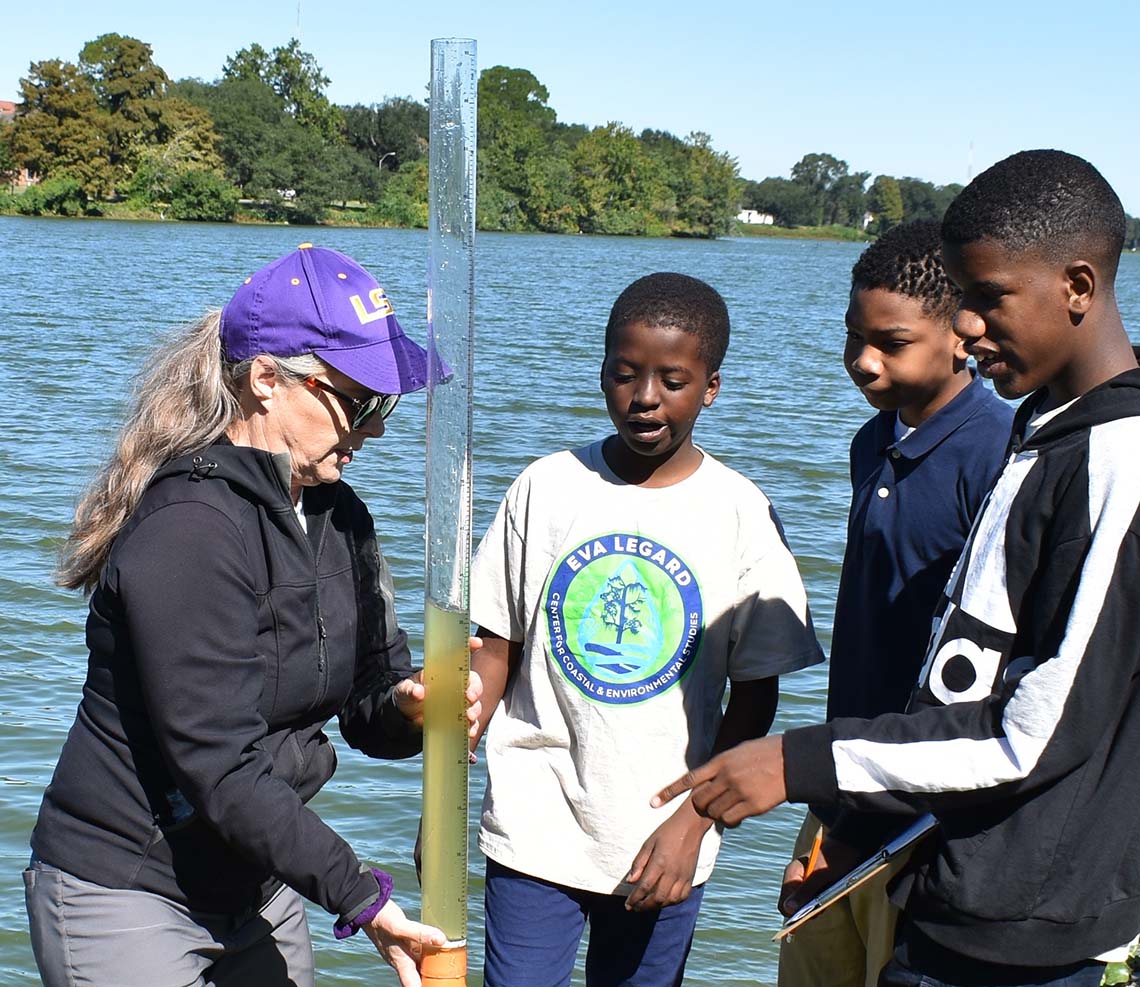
(534, 929)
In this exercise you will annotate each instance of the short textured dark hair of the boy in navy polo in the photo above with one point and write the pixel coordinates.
(908, 260)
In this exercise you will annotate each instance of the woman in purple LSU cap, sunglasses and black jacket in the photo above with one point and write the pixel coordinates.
(239, 601)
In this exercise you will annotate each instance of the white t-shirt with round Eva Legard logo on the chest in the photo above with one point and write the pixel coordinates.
(634, 607)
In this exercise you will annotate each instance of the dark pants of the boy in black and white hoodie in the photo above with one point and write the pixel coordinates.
(921, 962)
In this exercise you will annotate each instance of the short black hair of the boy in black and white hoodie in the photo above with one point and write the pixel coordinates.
(1048, 201)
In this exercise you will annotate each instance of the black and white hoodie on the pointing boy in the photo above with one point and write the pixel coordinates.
(1023, 736)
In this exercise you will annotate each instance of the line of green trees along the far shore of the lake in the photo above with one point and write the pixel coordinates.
(264, 138)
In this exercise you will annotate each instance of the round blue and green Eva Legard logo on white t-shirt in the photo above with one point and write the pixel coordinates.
(624, 618)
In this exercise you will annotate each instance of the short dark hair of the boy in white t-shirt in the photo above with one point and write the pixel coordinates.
(679, 303)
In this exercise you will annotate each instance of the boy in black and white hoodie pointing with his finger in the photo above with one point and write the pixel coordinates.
(1024, 732)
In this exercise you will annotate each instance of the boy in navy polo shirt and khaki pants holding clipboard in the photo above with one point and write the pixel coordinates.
(921, 470)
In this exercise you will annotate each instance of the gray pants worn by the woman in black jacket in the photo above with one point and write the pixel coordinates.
(88, 936)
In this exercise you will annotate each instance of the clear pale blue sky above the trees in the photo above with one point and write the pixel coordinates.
(922, 89)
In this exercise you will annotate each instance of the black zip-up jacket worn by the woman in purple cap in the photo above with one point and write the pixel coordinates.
(222, 640)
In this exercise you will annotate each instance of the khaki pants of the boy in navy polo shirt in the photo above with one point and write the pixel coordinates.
(848, 944)
